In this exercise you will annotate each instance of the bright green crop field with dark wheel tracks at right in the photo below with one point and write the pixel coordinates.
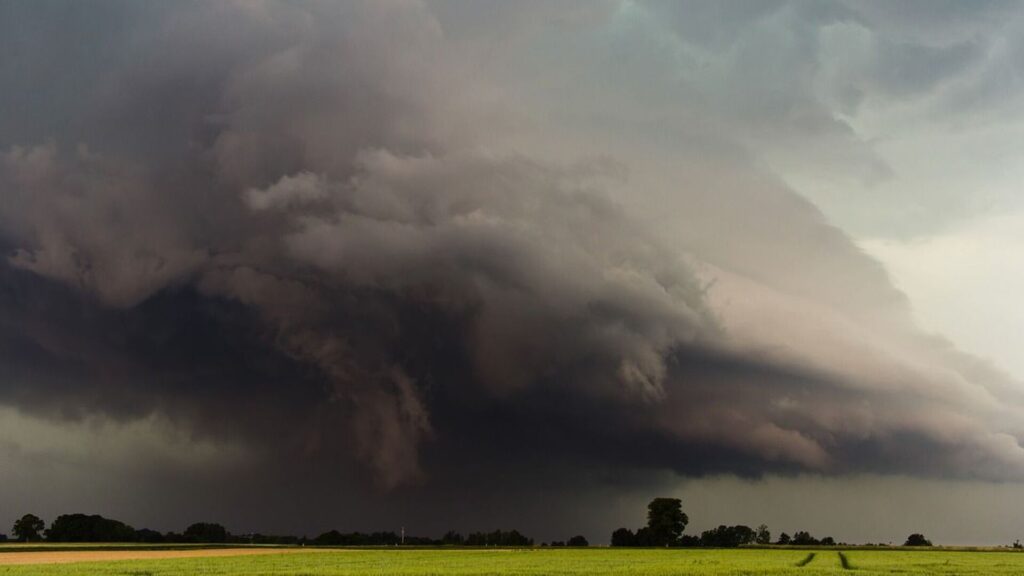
(570, 562)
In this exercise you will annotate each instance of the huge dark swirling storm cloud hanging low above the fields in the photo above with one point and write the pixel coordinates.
(332, 233)
